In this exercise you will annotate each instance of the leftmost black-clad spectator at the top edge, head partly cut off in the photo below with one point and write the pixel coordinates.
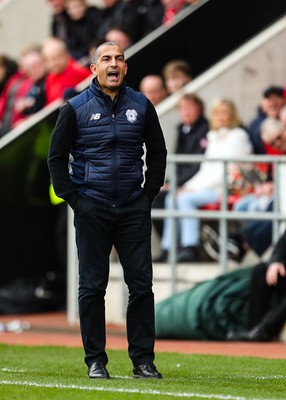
(59, 19)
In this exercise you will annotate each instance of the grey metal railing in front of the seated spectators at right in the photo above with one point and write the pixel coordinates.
(223, 215)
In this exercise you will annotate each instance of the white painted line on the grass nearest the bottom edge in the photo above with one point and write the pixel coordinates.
(124, 390)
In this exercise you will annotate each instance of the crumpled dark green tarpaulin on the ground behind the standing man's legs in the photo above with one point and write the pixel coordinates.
(208, 310)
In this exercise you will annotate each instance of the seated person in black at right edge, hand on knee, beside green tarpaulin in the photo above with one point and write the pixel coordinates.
(266, 316)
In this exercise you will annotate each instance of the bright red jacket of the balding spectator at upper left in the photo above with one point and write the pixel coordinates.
(56, 84)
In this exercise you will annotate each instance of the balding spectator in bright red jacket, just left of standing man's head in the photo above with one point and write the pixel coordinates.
(63, 71)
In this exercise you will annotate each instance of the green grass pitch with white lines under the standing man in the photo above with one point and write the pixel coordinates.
(59, 373)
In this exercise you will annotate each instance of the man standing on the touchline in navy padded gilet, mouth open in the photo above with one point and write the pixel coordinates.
(104, 129)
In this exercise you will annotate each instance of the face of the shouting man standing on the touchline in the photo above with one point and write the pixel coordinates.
(110, 69)
